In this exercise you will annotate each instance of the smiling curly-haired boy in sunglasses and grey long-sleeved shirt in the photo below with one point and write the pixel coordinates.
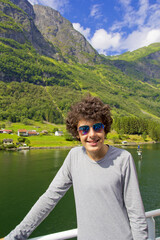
(108, 201)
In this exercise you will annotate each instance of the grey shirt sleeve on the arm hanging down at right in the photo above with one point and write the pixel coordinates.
(133, 202)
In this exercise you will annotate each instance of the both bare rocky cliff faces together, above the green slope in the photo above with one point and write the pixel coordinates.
(50, 33)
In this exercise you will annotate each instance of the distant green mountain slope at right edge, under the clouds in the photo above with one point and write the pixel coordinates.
(142, 64)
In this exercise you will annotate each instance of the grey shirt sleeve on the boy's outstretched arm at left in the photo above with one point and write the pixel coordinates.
(45, 204)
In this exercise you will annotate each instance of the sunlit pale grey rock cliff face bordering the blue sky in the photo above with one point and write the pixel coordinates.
(61, 33)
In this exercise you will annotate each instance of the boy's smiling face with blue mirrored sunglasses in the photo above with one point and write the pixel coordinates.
(92, 140)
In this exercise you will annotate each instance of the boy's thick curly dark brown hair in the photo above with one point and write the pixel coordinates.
(89, 108)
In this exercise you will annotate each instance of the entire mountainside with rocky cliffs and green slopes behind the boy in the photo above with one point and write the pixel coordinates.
(43, 70)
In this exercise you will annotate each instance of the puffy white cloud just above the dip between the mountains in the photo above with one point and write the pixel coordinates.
(103, 41)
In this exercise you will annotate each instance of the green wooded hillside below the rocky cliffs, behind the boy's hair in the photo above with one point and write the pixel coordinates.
(30, 83)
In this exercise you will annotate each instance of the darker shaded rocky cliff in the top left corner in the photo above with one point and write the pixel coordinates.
(19, 25)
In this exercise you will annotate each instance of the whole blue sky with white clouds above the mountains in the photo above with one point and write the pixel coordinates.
(112, 27)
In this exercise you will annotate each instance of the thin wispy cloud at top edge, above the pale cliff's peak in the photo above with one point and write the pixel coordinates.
(58, 5)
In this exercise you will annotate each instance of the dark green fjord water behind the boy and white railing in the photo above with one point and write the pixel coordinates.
(25, 175)
